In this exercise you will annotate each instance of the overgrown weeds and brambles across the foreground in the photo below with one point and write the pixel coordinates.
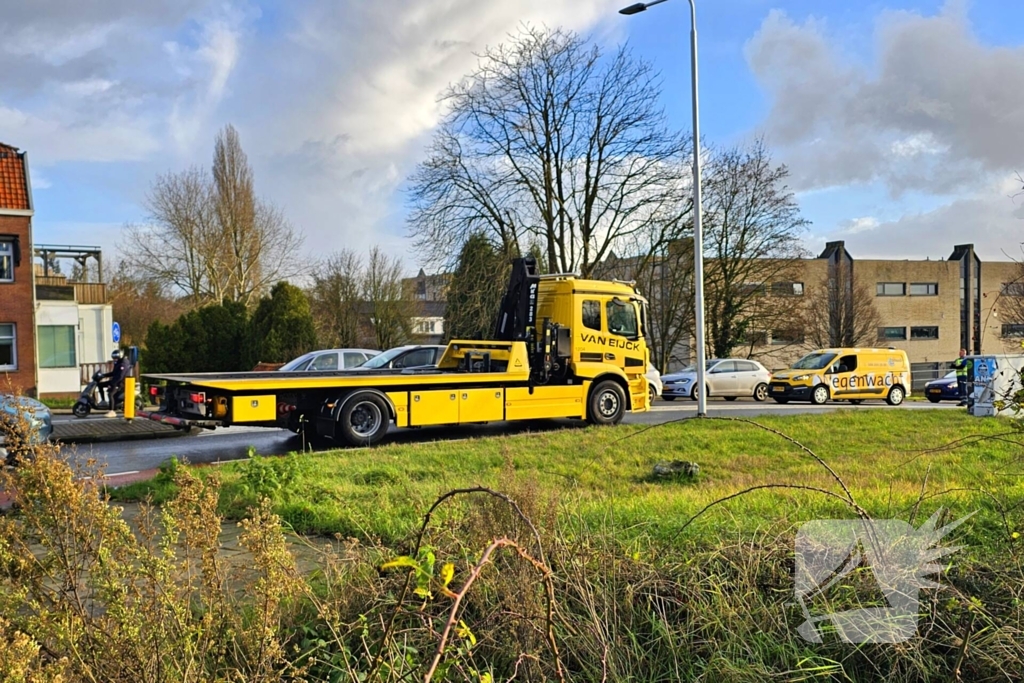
(509, 582)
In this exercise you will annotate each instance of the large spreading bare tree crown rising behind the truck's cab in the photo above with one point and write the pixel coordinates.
(549, 141)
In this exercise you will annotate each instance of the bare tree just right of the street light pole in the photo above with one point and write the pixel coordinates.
(752, 233)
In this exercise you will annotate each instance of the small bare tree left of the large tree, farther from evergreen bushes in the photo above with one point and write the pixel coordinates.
(390, 307)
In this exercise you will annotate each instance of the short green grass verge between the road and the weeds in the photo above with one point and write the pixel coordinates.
(601, 478)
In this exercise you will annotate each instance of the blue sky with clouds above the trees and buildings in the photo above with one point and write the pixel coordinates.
(903, 122)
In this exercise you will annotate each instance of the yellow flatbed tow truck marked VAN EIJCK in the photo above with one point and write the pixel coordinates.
(564, 348)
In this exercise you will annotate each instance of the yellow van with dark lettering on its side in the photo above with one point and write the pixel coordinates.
(845, 374)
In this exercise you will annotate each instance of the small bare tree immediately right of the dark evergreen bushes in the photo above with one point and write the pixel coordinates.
(335, 298)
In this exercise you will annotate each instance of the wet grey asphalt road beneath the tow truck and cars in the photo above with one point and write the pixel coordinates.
(235, 443)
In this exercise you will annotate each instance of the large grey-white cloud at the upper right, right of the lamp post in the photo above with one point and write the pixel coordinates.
(937, 112)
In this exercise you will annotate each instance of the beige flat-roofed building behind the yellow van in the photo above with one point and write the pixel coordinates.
(930, 309)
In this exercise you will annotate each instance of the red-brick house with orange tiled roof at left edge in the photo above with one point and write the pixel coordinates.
(18, 306)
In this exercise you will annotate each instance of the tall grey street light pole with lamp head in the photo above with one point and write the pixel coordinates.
(698, 228)
